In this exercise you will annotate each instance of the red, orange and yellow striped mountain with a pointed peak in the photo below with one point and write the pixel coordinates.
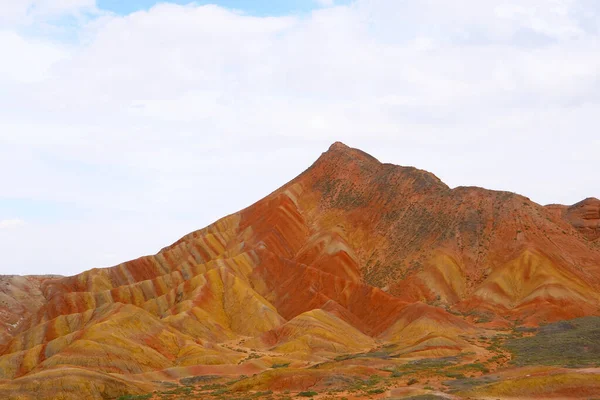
(356, 278)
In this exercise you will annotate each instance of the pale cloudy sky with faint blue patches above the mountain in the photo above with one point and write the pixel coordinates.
(126, 124)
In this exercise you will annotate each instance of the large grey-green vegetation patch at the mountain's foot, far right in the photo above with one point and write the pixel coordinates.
(574, 343)
